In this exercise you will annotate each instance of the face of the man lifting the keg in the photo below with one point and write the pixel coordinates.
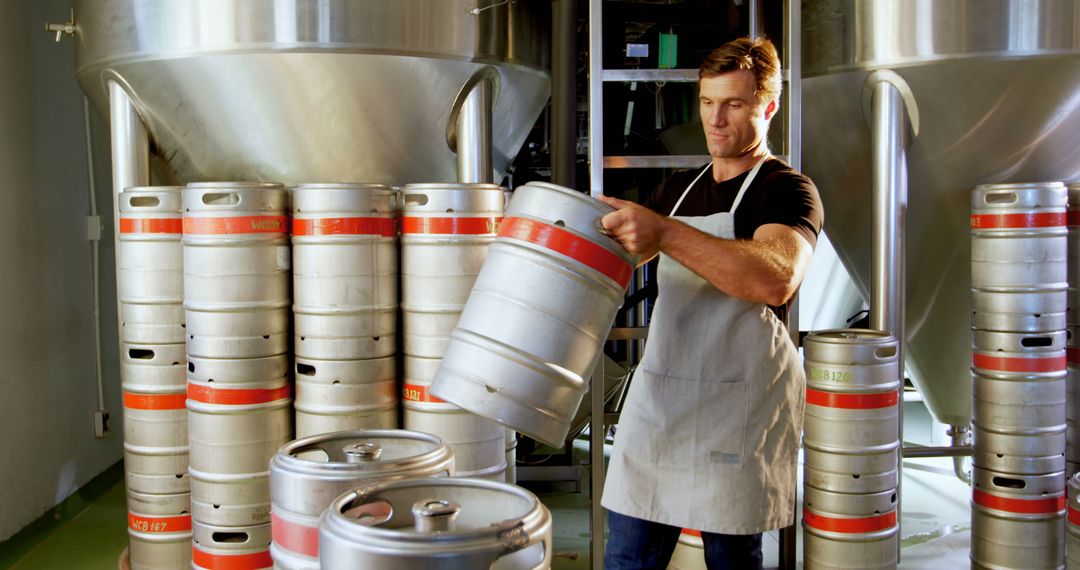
(736, 123)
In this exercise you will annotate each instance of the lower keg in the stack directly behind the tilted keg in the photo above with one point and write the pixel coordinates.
(479, 444)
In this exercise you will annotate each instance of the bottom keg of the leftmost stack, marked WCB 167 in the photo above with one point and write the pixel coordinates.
(159, 532)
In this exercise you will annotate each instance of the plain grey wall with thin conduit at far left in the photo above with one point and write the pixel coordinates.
(48, 449)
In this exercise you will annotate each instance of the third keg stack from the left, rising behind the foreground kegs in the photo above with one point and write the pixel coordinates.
(345, 272)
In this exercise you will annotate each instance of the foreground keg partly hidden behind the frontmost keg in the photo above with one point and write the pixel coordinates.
(308, 474)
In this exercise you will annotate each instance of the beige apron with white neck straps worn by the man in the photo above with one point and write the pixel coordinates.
(709, 437)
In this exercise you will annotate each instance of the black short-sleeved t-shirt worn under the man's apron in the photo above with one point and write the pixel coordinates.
(779, 195)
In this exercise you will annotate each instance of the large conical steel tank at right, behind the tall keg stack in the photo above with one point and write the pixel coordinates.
(1010, 63)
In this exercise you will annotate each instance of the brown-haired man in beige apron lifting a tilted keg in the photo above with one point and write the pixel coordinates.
(710, 432)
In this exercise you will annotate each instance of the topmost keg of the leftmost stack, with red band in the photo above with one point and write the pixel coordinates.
(152, 265)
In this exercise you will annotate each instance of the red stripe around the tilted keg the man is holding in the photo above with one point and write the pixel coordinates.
(569, 245)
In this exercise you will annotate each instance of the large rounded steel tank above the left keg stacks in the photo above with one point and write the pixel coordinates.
(307, 92)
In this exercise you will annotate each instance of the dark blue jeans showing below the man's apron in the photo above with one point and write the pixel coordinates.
(638, 545)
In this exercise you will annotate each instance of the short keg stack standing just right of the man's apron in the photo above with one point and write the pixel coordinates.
(852, 440)
